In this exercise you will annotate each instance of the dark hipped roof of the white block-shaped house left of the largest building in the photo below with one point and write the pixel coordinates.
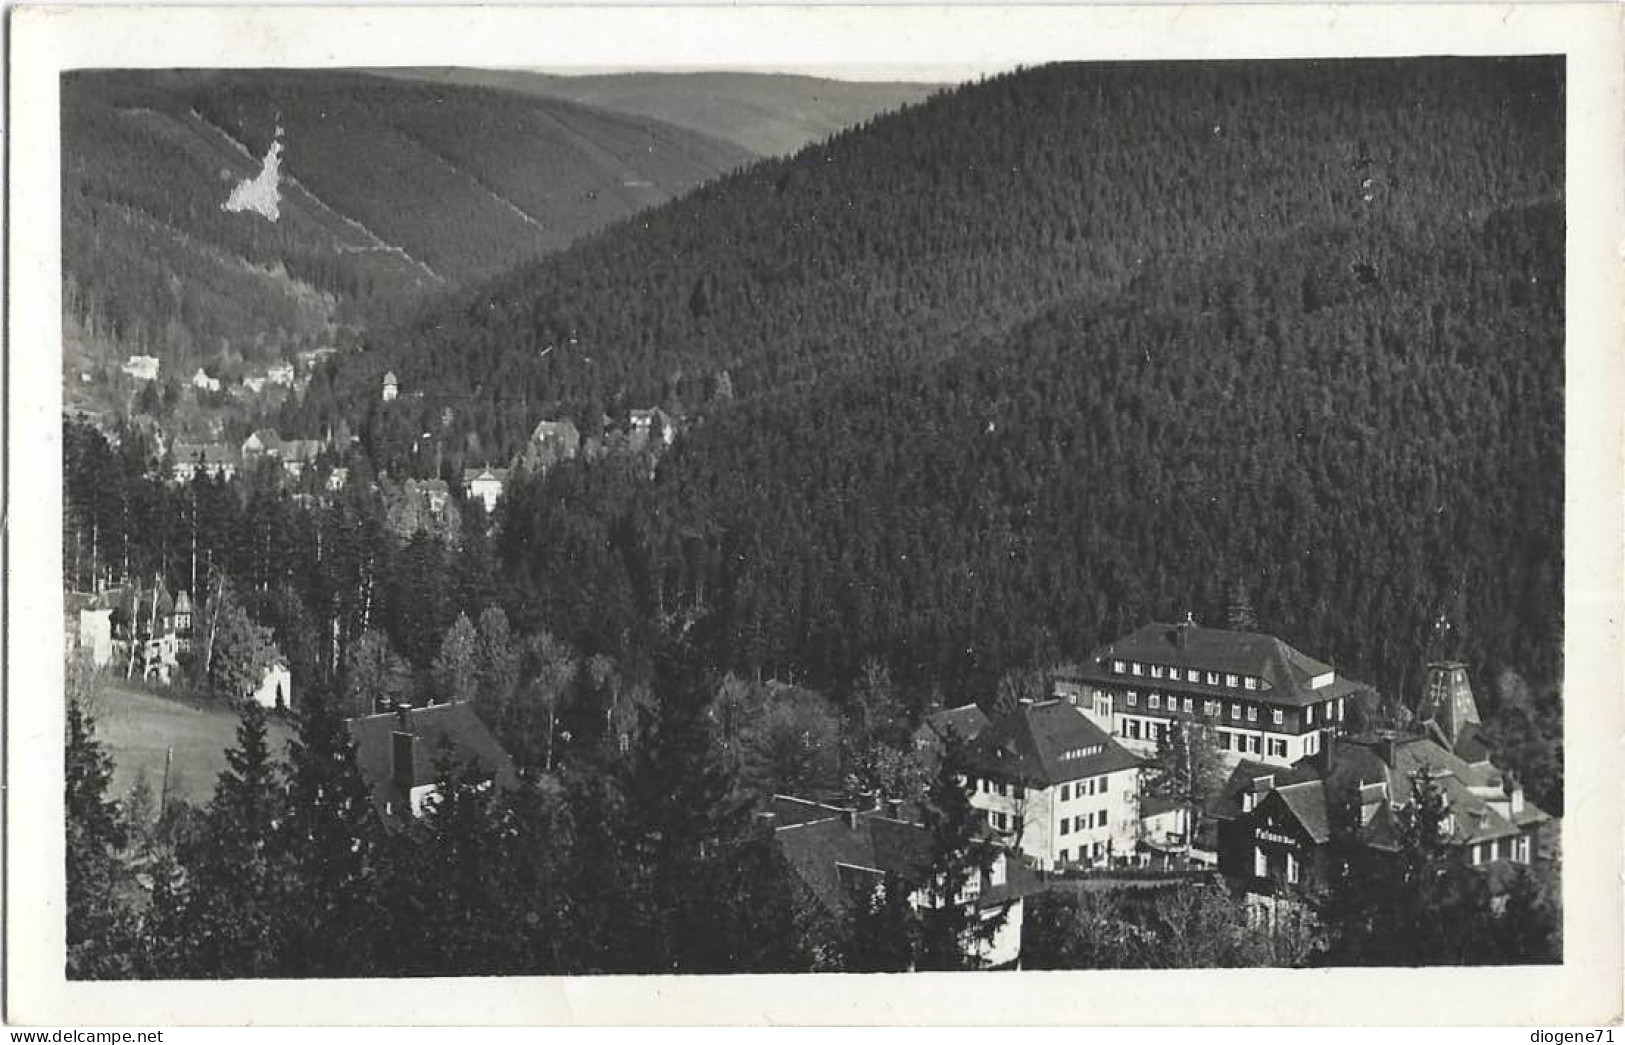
(1046, 744)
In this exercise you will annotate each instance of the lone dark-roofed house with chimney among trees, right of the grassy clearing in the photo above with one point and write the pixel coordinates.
(399, 752)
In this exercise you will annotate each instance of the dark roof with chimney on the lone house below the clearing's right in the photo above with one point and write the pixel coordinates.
(472, 742)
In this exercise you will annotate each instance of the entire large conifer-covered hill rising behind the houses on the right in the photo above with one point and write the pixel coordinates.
(1049, 355)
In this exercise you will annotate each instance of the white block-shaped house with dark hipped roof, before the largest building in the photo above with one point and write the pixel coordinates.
(1055, 786)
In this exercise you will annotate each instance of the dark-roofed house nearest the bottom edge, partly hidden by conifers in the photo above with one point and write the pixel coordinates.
(843, 857)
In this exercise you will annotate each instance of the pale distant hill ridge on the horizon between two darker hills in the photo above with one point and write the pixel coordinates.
(771, 115)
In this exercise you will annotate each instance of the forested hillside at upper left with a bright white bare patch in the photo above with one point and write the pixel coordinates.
(388, 191)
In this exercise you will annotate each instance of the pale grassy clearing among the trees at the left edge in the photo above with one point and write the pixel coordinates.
(137, 727)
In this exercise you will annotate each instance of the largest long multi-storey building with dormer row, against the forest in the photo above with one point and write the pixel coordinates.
(1265, 700)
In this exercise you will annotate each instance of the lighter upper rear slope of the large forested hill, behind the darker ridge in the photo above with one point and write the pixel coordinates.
(927, 232)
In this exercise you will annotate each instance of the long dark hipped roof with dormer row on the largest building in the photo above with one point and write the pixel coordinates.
(1285, 672)
